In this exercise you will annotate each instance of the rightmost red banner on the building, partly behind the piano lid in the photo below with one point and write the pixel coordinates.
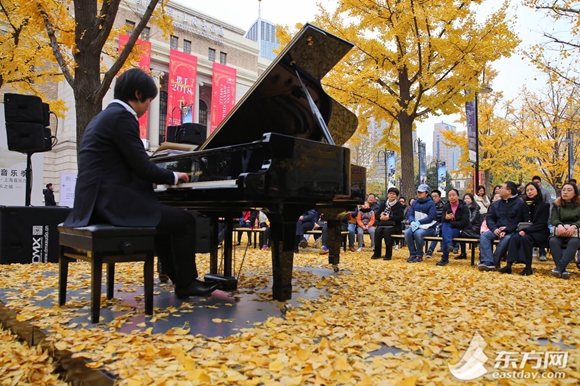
(223, 95)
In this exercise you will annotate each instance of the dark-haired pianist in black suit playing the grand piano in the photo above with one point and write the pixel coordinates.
(115, 183)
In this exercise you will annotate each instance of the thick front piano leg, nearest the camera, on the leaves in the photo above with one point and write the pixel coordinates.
(283, 231)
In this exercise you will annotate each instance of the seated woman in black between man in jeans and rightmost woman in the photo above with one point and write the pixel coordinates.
(523, 242)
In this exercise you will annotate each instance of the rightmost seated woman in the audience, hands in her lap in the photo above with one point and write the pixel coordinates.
(565, 223)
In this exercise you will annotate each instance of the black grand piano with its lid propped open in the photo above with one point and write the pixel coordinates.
(279, 150)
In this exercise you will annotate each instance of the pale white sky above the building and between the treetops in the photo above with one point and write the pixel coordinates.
(514, 72)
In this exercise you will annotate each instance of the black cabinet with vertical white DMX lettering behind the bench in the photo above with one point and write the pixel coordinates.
(29, 234)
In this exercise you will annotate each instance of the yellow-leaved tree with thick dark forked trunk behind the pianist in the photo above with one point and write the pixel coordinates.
(78, 38)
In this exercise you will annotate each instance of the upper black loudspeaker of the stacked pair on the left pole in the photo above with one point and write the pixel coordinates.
(26, 108)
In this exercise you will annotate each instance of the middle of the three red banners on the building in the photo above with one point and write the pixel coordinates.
(181, 88)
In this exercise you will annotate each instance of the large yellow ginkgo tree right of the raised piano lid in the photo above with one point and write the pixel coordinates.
(412, 59)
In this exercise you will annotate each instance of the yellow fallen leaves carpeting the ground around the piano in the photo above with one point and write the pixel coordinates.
(430, 313)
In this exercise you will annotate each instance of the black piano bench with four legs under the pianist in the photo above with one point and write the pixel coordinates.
(106, 244)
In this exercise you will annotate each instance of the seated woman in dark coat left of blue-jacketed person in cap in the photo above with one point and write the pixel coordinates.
(392, 213)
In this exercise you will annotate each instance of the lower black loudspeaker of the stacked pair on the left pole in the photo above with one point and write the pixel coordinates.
(27, 137)
